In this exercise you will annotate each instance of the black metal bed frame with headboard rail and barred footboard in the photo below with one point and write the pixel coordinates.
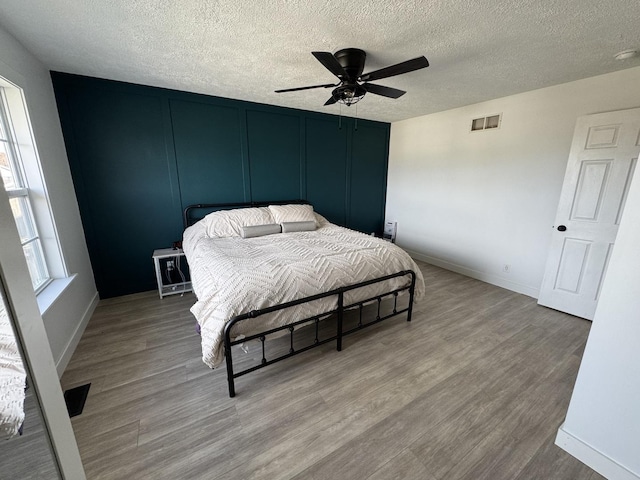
(291, 327)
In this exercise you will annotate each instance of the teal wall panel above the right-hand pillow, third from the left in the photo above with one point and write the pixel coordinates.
(274, 155)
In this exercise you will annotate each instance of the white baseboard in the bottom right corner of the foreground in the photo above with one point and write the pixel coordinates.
(592, 457)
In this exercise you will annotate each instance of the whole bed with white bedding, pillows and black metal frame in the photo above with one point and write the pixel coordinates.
(269, 270)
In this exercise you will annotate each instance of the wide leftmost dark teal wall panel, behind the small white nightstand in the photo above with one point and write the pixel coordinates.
(119, 141)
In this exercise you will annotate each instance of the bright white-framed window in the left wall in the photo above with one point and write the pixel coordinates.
(14, 179)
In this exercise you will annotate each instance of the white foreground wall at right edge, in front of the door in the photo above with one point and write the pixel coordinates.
(602, 427)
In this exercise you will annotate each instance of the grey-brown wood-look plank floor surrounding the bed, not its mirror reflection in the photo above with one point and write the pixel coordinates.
(475, 387)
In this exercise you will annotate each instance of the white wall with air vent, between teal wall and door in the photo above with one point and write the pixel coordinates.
(473, 202)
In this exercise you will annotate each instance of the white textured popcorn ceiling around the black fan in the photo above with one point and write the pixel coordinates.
(478, 50)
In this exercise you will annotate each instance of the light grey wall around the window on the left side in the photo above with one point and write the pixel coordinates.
(66, 318)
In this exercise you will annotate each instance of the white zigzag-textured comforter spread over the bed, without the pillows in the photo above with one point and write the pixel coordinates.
(235, 275)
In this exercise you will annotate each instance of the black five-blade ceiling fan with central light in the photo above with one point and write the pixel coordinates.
(347, 64)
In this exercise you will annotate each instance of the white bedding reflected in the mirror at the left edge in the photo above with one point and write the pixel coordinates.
(12, 379)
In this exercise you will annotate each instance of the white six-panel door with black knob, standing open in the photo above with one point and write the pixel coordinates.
(603, 156)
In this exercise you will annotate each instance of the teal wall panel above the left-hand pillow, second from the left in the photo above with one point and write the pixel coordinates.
(208, 152)
